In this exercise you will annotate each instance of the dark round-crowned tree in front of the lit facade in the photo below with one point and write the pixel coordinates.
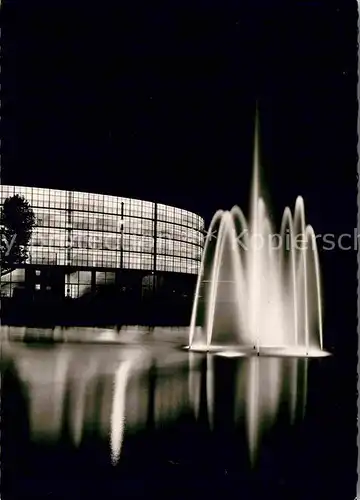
(17, 221)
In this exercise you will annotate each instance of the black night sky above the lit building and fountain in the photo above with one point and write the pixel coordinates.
(156, 100)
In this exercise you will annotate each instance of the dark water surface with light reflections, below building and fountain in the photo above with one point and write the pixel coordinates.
(147, 419)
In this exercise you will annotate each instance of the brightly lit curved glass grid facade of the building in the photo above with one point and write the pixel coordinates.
(84, 233)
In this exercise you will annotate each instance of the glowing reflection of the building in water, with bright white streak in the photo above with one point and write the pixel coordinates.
(80, 391)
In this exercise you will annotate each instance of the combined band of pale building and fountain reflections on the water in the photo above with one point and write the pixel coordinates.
(117, 390)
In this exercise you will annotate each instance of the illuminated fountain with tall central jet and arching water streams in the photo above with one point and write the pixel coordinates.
(266, 285)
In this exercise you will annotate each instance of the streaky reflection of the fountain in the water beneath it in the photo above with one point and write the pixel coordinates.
(259, 385)
